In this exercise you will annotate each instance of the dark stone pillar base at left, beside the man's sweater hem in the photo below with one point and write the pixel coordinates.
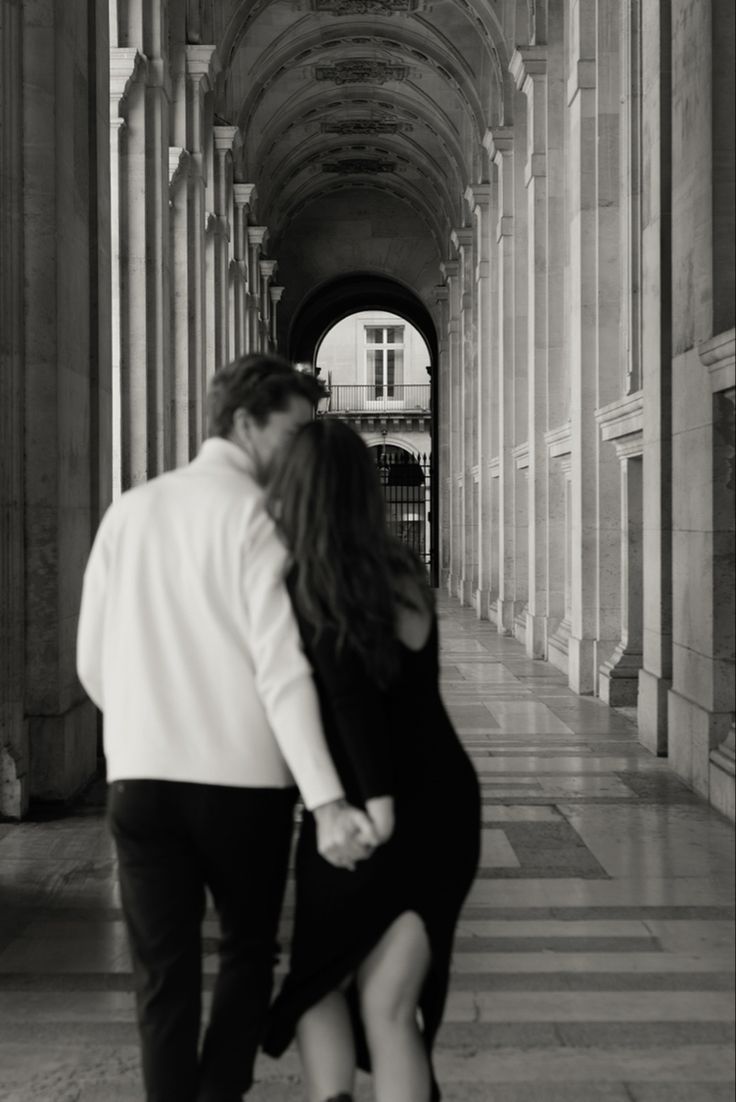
(63, 752)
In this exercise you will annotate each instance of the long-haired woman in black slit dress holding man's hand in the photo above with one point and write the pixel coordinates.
(372, 946)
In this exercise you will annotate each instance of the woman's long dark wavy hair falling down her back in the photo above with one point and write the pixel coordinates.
(328, 504)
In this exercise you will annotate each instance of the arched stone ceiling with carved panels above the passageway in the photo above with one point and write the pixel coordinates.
(375, 110)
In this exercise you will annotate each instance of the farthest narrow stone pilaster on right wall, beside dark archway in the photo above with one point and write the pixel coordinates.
(451, 272)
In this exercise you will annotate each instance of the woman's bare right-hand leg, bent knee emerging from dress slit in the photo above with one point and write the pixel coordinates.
(391, 982)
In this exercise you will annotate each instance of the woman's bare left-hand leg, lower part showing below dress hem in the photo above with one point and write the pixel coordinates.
(327, 1049)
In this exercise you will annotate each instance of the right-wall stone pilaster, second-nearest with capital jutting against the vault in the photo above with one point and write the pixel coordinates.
(500, 144)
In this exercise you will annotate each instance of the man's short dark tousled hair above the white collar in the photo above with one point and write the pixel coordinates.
(261, 385)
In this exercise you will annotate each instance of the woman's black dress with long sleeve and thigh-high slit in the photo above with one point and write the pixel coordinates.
(398, 742)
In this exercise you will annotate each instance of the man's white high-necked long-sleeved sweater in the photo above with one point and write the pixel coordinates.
(188, 642)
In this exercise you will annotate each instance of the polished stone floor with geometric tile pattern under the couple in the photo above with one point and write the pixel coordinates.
(596, 958)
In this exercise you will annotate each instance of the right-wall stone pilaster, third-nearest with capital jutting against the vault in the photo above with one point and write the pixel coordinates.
(479, 199)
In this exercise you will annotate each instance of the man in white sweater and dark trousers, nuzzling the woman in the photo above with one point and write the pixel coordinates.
(189, 646)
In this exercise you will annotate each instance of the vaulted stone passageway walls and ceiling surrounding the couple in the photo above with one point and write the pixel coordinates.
(546, 189)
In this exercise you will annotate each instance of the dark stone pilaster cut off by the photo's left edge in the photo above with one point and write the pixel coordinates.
(15, 757)
